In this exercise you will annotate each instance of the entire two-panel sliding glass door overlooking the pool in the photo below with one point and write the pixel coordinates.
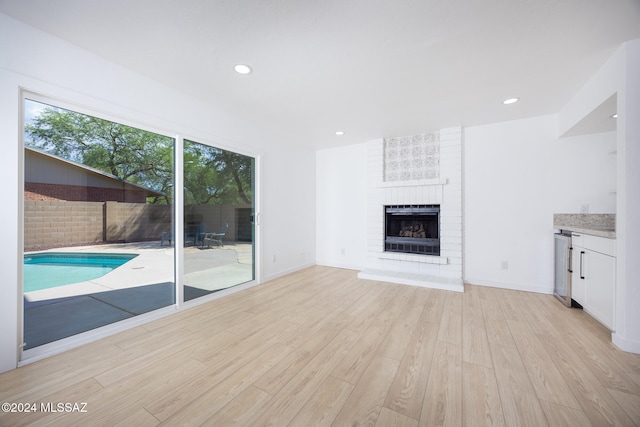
(99, 222)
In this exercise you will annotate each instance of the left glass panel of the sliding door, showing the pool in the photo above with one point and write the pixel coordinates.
(98, 221)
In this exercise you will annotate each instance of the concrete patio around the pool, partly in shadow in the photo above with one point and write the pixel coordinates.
(143, 284)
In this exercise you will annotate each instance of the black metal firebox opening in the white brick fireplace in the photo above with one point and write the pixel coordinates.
(413, 229)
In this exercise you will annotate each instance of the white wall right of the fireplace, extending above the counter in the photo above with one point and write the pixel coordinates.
(517, 174)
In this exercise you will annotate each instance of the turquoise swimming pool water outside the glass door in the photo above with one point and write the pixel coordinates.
(43, 271)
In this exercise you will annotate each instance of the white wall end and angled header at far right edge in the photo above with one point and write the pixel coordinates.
(620, 75)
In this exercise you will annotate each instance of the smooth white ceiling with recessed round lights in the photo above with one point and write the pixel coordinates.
(373, 68)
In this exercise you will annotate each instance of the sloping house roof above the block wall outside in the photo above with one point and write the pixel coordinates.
(76, 172)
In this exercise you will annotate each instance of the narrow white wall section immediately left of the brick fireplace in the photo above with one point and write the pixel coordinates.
(341, 206)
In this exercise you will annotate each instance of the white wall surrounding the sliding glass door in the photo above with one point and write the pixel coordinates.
(38, 62)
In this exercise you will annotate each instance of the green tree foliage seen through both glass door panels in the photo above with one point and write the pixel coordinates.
(211, 175)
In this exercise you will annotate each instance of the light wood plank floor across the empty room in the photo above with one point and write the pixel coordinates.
(321, 347)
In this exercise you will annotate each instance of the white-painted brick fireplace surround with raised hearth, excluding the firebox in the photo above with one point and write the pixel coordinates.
(417, 170)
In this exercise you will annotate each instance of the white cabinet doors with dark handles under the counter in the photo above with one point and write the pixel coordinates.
(594, 276)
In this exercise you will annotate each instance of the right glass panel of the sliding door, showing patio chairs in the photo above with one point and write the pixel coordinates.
(218, 219)
